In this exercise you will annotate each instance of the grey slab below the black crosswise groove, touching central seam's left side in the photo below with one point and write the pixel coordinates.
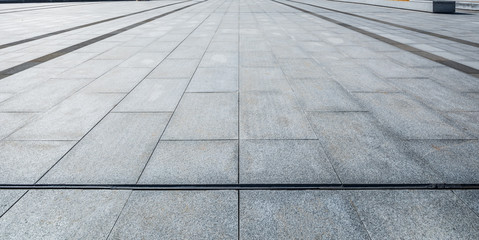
(179, 214)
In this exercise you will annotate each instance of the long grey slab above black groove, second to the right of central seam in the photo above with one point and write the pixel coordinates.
(361, 153)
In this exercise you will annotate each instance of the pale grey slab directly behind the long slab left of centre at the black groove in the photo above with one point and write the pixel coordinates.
(154, 95)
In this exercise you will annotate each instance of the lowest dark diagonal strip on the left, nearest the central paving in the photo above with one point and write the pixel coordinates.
(26, 65)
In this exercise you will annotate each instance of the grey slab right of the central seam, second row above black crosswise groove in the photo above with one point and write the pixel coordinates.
(272, 115)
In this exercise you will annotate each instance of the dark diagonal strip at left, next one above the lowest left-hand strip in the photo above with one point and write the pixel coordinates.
(11, 44)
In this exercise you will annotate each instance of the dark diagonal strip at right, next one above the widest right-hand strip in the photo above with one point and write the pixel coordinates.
(458, 40)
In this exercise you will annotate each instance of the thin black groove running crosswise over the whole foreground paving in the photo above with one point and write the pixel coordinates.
(192, 187)
